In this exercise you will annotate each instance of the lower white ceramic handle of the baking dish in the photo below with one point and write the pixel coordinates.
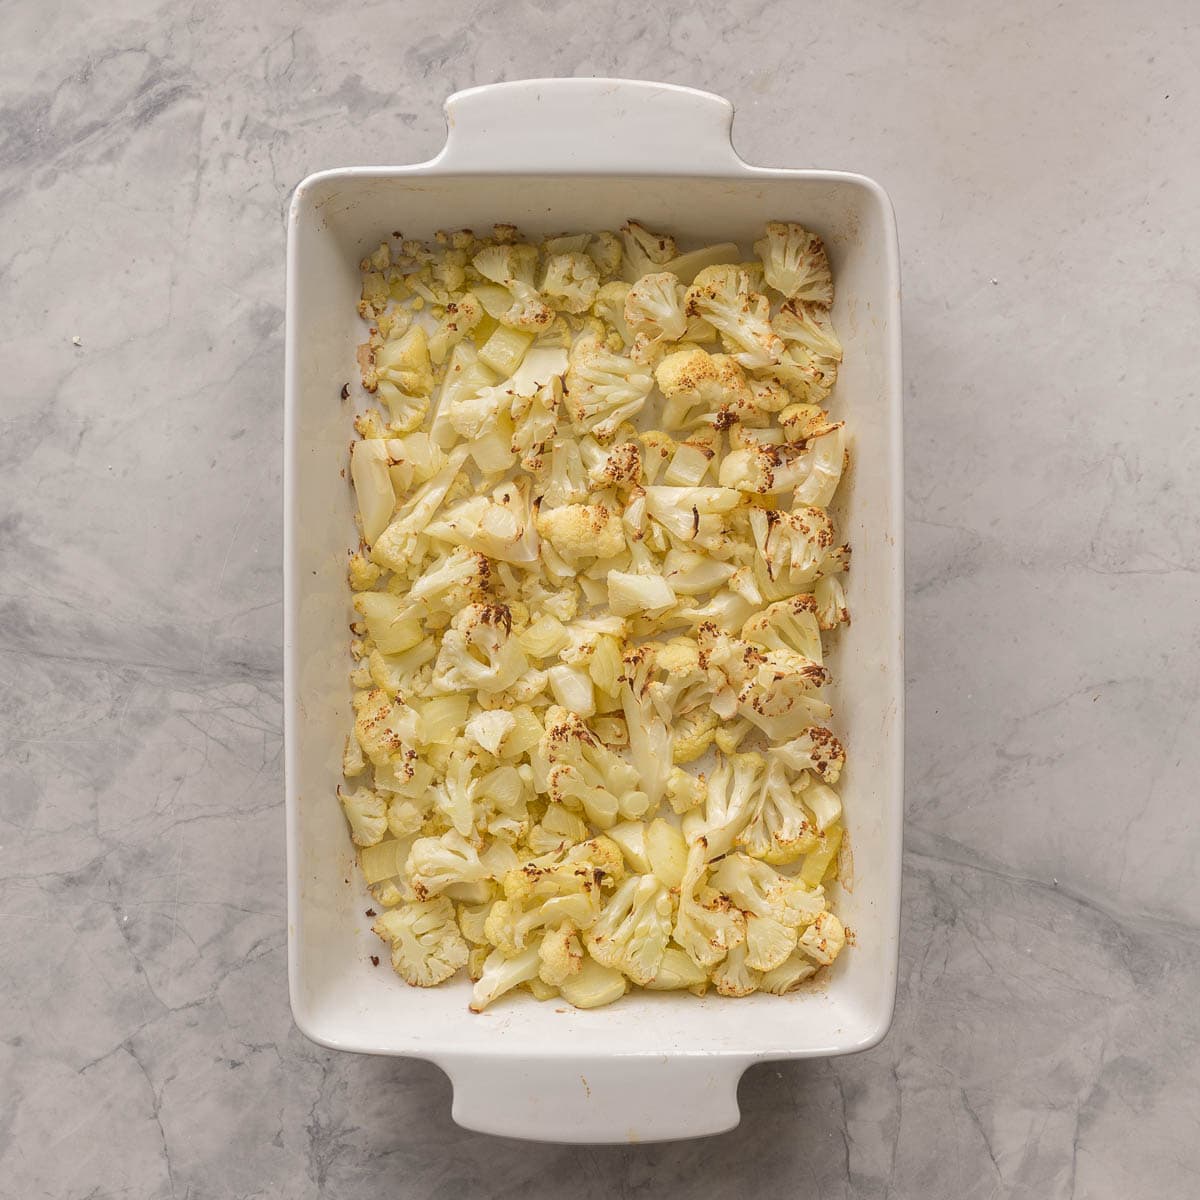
(599, 1101)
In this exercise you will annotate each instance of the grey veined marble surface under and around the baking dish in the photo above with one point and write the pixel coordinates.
(1043, 166)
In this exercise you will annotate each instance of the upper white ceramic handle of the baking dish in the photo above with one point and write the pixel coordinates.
(574, 127)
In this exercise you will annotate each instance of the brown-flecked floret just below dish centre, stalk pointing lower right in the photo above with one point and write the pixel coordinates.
(577, 770)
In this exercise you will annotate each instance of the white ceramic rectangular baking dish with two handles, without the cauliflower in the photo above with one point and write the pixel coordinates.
(559, 155)
